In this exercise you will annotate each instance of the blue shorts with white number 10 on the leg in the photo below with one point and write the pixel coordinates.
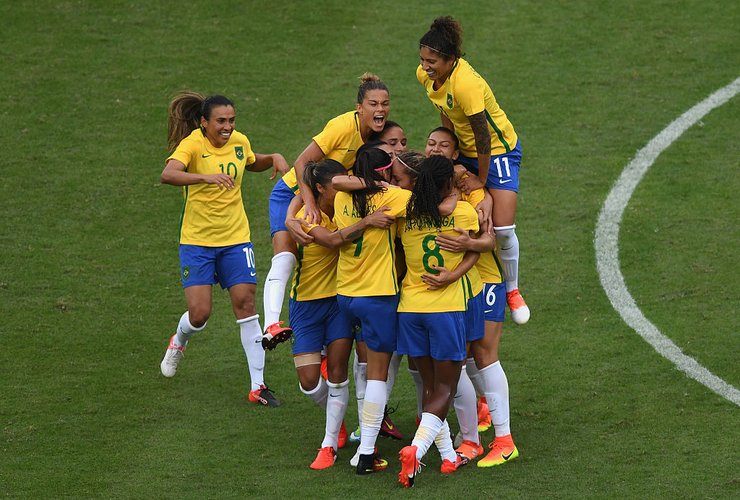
(227, 266)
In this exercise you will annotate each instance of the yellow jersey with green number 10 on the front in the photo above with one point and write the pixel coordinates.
(214, 217)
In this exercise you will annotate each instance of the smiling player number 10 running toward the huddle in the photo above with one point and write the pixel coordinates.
(209, 158)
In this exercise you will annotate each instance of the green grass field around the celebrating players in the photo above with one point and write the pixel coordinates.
(89, 285)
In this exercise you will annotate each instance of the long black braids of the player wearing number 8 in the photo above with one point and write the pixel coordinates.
(432, 184)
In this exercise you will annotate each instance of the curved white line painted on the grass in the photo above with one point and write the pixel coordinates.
(607, 239)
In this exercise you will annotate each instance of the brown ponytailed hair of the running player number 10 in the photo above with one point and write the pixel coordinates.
(185, 112)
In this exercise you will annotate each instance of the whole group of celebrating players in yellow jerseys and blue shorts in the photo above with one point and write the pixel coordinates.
(383, 251)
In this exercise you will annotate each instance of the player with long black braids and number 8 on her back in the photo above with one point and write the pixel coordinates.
(431, 311)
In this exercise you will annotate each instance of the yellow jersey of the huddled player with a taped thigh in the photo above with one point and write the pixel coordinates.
(315, 276)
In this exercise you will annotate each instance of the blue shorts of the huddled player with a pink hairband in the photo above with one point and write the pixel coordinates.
(377, 317)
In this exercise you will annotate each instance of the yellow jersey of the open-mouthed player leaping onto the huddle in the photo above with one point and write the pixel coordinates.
(339, 141)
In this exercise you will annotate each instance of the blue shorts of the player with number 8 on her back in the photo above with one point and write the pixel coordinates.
(439, 335)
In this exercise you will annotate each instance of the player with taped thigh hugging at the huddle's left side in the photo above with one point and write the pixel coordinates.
(313, 311)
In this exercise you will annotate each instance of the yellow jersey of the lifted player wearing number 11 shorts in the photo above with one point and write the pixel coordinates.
(464, 94)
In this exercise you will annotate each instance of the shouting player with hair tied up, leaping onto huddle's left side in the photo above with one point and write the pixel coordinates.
(341, 138)
